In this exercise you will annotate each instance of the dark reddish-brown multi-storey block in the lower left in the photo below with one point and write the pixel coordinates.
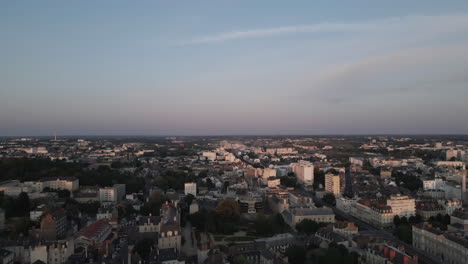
(54, 225)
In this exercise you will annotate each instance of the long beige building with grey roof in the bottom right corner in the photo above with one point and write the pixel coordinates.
(444, 247)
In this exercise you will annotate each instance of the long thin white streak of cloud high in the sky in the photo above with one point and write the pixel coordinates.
(434, 23)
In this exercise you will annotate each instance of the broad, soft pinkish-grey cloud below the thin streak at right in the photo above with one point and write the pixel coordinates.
(412, 73)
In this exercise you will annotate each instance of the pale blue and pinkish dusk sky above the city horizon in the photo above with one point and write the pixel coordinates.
(233, 67)
